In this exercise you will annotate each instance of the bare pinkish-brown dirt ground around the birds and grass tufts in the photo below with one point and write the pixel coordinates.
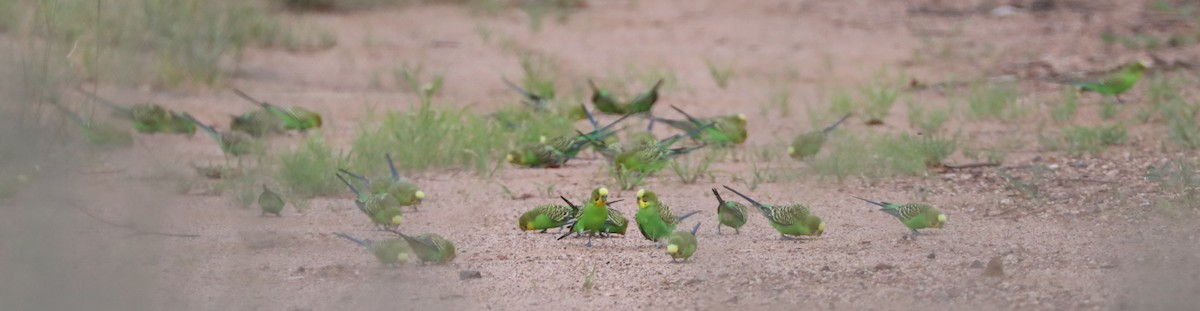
(1081, 248)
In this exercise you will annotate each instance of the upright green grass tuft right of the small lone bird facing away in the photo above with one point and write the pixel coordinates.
(308, 170)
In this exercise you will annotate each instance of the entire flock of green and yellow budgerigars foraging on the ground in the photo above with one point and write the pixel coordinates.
(643, 154)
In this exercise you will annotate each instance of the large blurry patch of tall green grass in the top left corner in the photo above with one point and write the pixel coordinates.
(165, 44)
